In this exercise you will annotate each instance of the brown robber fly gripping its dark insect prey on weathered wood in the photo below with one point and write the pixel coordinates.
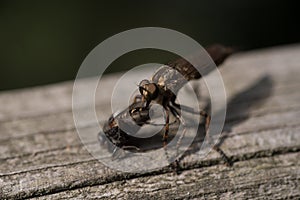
(161, 89)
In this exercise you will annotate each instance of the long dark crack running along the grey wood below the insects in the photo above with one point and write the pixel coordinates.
(128, 176)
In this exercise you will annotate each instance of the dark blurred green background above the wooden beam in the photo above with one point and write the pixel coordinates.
(45, 41)
